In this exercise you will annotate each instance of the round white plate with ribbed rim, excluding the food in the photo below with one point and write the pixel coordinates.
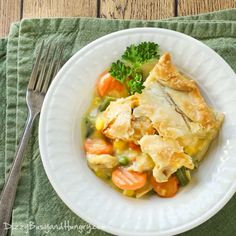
(61, 144)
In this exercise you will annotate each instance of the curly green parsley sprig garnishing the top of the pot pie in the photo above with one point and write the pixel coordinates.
(128, 70)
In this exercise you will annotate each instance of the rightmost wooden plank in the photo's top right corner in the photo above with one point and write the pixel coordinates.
(186, 7)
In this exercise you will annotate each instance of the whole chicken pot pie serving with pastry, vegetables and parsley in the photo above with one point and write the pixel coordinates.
(148, 126)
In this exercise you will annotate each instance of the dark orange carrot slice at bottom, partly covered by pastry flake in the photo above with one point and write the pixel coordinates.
(165, 189)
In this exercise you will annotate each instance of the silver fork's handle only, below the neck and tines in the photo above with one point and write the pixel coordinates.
(7, 197)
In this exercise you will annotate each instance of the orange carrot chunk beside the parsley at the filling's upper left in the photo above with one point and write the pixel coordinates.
(107, 84)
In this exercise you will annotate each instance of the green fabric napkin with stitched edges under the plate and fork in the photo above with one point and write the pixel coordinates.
(38, 210)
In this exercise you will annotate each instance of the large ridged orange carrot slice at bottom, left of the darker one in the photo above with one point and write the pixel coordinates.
(128, 180)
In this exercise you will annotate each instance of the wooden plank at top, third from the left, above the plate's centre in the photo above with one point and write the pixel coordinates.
(137, 9)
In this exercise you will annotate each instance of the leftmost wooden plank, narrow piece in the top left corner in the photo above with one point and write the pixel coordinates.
(9, 12)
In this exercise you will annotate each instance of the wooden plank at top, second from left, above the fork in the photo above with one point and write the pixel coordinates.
(59, 8)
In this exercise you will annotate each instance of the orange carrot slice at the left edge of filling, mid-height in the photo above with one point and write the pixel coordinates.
(98, 146)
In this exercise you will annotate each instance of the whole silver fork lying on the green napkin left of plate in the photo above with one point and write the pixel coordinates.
(43, 72)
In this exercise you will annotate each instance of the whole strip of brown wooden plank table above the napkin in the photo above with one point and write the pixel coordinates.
(14, 10)
